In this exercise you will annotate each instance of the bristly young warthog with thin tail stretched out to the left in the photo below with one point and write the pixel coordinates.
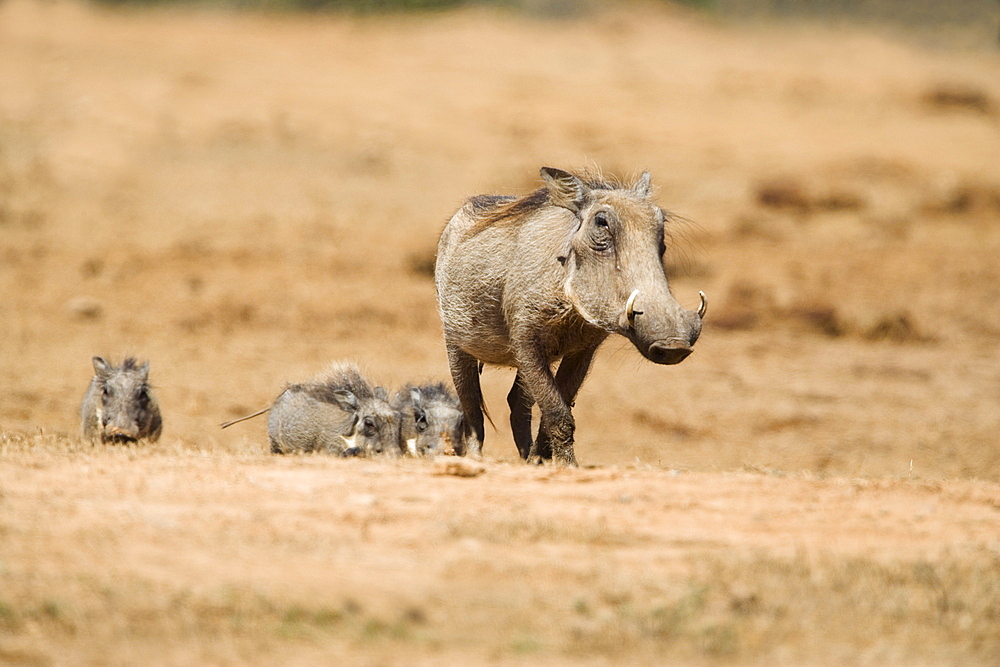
(337, 412)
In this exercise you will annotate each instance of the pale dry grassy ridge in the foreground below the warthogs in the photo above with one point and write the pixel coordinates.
(113, 555)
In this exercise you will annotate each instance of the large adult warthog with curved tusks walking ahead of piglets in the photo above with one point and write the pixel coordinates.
(525, 282)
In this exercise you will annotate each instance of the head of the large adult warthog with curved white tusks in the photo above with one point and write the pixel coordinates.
(614, 266)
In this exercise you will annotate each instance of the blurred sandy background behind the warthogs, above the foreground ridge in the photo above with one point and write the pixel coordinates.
(242, 192)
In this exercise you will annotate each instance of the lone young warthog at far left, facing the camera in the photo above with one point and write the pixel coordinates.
(119, 405)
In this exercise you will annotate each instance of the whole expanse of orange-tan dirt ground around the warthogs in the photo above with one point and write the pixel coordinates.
(243, 198)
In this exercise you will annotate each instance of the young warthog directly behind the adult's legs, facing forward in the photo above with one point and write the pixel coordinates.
(432, 420)
